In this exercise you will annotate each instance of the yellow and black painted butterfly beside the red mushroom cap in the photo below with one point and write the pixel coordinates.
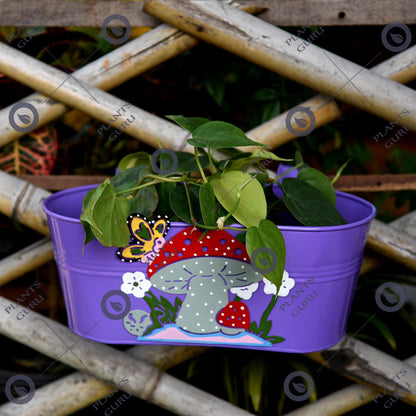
(147, 238)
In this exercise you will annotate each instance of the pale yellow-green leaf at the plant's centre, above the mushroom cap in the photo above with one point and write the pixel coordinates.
(252, 207)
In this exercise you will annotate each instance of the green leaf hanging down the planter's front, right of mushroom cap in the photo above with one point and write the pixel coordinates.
(267, 235)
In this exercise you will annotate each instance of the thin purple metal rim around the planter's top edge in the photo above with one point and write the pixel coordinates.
(298, 228)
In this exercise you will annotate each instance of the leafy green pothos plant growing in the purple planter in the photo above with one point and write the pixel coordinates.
(212, 188)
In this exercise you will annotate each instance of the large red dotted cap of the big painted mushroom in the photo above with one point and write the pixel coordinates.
(189, 244)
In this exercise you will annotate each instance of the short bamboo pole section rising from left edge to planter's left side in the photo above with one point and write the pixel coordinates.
(25, 260)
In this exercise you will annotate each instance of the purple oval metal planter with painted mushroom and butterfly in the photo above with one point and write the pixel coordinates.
(204, 291)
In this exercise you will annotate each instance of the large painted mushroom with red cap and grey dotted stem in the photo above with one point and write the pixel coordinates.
(204, 269)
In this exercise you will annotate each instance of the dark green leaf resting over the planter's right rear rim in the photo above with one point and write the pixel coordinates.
(308, 205)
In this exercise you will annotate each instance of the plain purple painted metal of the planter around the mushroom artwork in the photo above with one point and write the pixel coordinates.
(323, 261)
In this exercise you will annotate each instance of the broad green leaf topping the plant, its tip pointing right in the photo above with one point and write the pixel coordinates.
(219, 134)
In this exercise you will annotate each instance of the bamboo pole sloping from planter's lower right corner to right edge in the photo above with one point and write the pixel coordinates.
(365, 364)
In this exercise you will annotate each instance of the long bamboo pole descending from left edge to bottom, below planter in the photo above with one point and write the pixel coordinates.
(110, 365)
